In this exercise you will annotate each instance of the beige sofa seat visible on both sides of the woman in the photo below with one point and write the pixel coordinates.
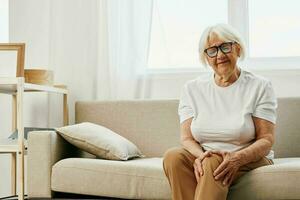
(144, 178)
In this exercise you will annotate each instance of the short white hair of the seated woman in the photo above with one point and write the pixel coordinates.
(224, 32)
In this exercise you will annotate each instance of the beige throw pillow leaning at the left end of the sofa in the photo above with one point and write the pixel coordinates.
(100, 141)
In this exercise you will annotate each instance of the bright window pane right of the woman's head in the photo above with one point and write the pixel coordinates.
(274, 28)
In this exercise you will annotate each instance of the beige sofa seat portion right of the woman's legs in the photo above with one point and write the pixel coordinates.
(278, 181)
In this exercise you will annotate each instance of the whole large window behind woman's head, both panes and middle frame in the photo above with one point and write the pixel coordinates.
(271, 29)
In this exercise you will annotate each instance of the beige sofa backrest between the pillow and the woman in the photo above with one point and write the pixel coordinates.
(153, 125)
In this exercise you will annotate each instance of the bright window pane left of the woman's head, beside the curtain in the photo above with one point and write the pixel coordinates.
(176, 29)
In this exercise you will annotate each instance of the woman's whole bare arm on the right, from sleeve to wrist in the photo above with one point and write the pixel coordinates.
(264, 131)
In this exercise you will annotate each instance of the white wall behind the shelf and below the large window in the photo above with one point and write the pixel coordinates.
(62, 36)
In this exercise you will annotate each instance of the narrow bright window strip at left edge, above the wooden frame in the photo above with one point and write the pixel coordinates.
(3, 20)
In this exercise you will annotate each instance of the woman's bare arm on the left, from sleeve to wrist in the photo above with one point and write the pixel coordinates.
(187, 140)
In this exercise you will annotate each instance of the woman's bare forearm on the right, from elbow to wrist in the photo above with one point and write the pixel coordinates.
(255, 151)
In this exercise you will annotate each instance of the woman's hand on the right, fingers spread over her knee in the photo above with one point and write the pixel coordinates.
(230, 165)
